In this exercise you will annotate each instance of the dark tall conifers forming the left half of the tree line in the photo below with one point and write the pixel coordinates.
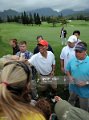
(24, 18)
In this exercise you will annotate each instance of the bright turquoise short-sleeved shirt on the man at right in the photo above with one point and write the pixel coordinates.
(80, 72)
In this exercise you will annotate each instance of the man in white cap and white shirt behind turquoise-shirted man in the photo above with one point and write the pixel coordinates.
(67, 52)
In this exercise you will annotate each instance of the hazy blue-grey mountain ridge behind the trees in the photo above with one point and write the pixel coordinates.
(46, 12)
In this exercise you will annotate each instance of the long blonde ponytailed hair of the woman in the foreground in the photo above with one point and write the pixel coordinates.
(13, 74)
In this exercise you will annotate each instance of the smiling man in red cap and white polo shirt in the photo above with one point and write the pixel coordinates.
(44, 62)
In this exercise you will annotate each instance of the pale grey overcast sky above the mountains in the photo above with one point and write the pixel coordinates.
(59, 5)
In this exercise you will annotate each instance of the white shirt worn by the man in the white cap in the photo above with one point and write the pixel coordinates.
(66, 54)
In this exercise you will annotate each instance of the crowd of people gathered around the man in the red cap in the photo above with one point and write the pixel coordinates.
(19, 90)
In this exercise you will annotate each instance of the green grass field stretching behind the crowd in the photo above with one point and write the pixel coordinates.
(29, 33)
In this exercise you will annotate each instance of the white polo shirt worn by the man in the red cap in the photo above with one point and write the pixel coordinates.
(43, 65)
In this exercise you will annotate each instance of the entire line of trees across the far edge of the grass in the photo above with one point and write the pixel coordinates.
(35, 18)
